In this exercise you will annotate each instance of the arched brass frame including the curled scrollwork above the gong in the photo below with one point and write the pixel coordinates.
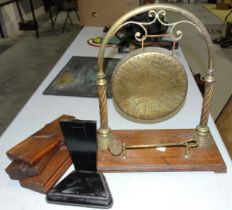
(157, 11)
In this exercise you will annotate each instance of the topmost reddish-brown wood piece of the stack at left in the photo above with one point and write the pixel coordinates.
(34, 148)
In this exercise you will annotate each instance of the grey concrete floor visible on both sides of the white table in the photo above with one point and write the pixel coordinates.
(25, 61)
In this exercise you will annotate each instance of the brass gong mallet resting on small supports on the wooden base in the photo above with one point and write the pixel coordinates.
(117, 147)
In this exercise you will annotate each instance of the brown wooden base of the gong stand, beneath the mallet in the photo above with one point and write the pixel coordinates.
(207, 158)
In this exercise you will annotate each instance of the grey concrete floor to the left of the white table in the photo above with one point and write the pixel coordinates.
(25, 61)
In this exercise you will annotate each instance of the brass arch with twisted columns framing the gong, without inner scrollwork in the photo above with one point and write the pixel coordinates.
(202, 130)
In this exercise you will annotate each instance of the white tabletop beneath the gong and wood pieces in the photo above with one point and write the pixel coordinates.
(151, 190)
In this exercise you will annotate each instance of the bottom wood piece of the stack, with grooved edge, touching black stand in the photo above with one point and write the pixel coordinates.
(55, 168)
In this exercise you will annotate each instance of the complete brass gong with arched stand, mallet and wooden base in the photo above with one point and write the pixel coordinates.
(155, 150)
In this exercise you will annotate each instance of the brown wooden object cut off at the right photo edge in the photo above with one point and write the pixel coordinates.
(224, 125)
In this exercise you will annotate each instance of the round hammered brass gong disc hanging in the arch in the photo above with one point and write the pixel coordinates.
(149, 85)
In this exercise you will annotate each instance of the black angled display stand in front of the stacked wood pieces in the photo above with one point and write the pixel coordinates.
(84, 186)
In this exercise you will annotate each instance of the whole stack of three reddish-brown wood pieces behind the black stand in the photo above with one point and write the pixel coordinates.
(40, 160)
